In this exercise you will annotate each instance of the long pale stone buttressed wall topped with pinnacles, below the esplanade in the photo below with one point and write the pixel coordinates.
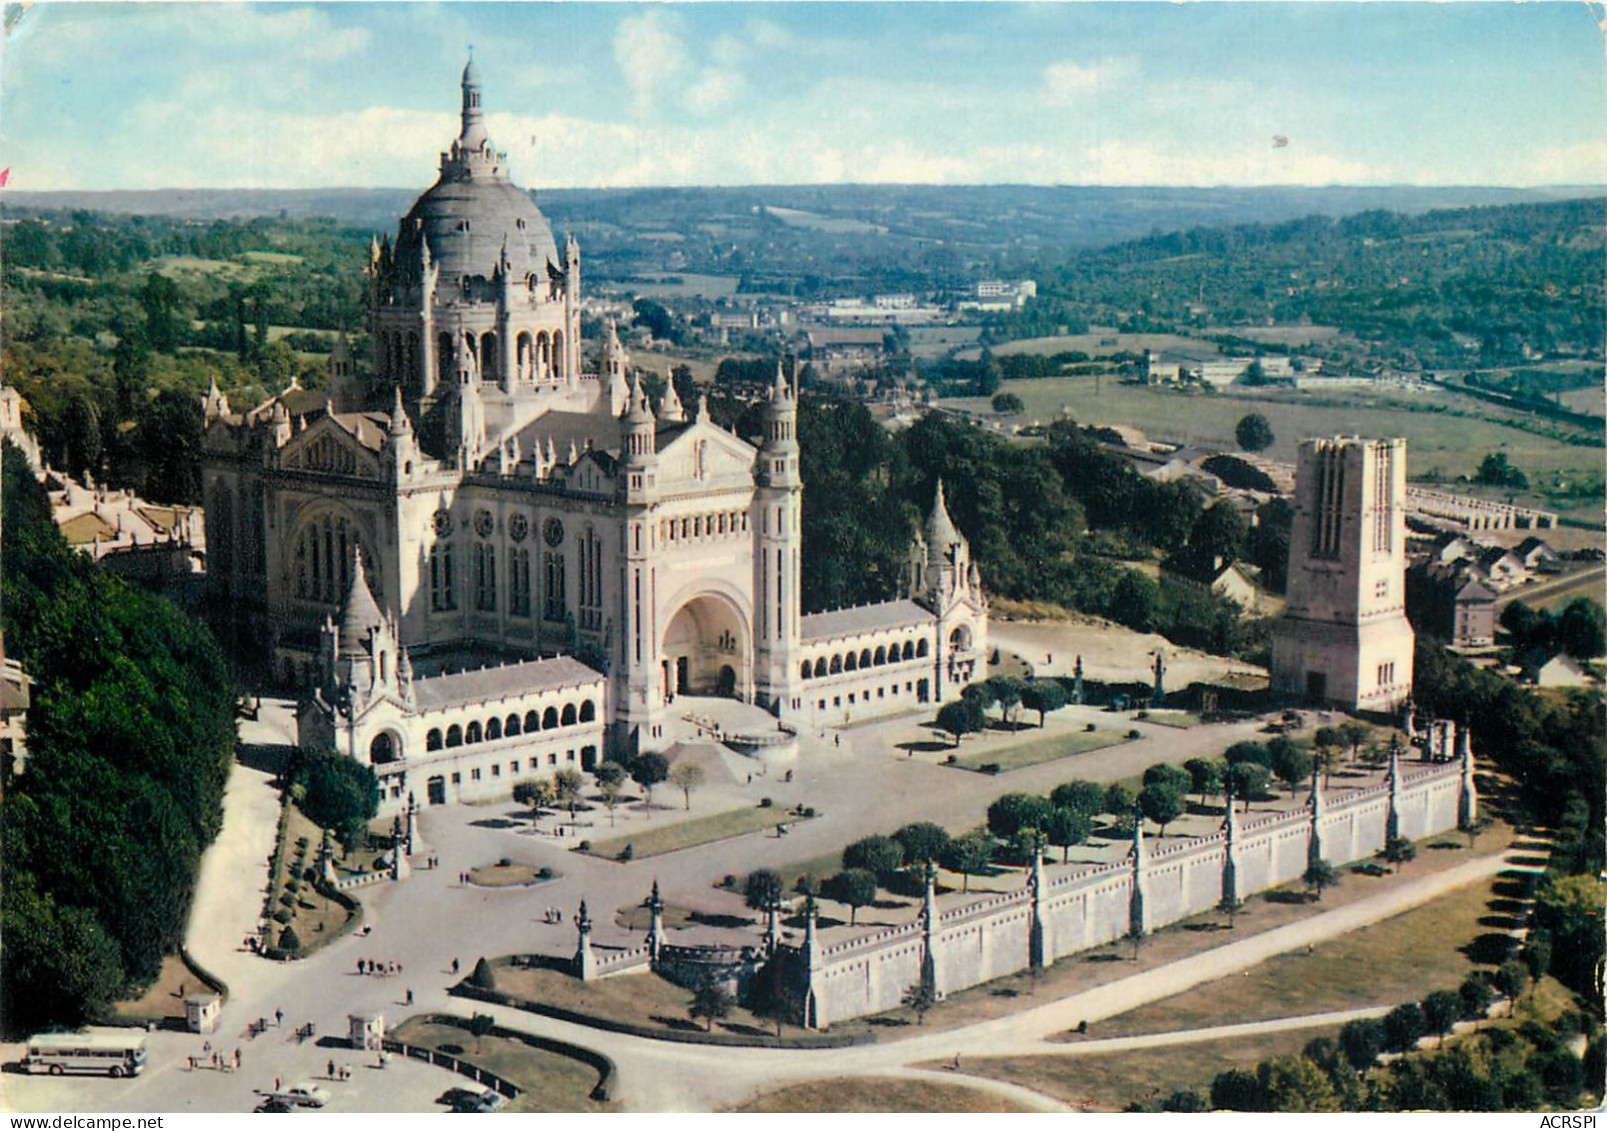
(991, 939)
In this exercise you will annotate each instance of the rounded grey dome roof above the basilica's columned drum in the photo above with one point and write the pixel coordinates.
(467, 224)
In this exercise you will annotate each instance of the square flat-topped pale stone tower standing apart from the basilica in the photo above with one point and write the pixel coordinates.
(1344, 637)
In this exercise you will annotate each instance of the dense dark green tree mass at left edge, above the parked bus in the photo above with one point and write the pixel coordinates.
(131, 738)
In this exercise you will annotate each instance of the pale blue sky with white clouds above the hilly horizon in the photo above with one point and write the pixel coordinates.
(288, 96)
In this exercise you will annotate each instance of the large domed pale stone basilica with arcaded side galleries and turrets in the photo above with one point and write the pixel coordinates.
(481, 558)
